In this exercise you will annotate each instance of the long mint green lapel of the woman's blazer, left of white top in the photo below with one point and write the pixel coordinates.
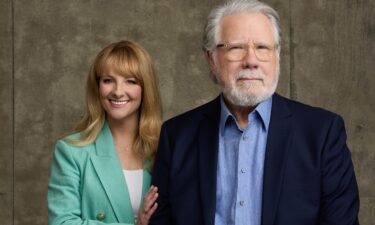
(109, 171)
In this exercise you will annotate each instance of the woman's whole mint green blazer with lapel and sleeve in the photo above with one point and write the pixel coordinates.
(87, 185)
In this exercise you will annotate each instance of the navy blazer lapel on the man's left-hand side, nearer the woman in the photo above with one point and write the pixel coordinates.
(207, 157)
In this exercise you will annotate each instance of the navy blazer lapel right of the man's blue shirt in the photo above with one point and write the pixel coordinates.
(278, 142)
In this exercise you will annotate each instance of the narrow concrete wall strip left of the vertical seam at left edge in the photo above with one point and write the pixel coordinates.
(6, 113)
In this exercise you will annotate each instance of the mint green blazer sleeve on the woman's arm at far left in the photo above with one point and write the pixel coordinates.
(63, 197)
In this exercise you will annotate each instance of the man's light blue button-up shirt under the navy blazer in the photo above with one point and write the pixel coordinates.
(240, 166)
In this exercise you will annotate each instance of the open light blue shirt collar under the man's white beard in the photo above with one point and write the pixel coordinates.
(263, 110)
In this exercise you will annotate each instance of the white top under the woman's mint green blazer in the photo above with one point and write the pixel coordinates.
(134, 180)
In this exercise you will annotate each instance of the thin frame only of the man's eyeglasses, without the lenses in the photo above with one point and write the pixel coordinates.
(246, 46)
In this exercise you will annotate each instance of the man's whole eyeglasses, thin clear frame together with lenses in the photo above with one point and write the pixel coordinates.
(238, 51)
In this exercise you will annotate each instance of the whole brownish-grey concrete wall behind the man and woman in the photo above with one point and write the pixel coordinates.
(47, 47)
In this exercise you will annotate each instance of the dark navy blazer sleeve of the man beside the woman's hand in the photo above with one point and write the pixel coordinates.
(160, 178)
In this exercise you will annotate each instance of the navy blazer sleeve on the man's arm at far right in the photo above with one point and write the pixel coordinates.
(340, 200)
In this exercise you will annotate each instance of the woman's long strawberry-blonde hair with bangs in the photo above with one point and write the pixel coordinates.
(130, 60)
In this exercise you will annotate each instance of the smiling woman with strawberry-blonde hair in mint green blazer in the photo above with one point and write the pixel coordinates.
(101, 173)
